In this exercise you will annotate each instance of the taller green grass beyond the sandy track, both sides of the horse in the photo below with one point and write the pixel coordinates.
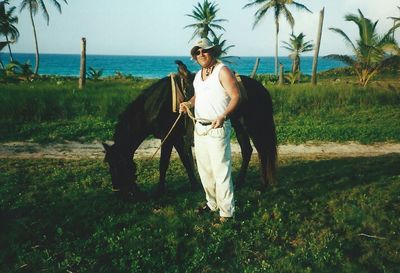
(54, 111)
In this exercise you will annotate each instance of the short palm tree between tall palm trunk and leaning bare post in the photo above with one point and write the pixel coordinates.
(296, 46)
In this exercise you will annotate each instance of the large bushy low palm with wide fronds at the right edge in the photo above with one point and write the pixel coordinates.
(370, 51)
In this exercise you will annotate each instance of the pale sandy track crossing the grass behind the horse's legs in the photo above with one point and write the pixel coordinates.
(76, 150)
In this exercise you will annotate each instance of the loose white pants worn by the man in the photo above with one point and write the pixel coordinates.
(213, 156)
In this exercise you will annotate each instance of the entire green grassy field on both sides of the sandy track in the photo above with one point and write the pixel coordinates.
(327, 215)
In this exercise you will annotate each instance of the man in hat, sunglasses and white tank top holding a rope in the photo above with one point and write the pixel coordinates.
(216, 98)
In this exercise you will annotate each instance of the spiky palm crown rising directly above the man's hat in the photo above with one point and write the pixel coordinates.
(205, 17)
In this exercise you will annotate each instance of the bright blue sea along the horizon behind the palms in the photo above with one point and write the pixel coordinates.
(154, 66)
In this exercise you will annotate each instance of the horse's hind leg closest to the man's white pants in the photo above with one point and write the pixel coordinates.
(246, 149)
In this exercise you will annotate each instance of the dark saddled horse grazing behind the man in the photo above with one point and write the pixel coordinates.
(150, 114)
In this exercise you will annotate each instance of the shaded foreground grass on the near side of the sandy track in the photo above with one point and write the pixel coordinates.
(60, 215)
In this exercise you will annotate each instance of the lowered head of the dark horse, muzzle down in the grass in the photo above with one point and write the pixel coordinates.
(122, 169)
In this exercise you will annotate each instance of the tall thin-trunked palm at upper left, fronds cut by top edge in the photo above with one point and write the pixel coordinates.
(33, 6)
